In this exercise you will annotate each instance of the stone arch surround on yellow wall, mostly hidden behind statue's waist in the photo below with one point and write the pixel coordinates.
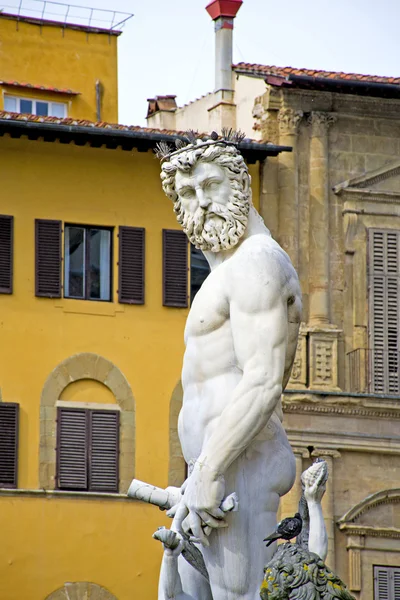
(177, 464)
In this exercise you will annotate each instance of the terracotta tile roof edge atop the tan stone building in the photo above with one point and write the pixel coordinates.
(264, 70)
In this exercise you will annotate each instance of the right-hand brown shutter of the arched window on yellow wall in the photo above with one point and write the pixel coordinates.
(104, 451)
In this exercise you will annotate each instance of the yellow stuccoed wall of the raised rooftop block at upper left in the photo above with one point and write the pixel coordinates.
(64, 58)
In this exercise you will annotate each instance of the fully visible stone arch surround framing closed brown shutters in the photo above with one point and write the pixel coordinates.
(79, 367)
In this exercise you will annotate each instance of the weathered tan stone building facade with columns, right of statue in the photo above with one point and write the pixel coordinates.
(334, 206)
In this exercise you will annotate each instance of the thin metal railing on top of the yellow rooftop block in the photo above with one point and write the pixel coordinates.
(66, 14)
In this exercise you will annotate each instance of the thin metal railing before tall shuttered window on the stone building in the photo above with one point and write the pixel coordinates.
(374, 371)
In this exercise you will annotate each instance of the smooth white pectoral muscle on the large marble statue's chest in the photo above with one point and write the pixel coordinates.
(210, 308)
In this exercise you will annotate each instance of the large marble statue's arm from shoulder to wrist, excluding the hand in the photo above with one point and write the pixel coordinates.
(259, 322)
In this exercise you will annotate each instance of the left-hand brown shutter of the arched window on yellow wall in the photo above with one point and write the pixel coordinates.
(72, 449)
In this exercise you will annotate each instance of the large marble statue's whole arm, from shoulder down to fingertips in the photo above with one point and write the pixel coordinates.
(258, 316)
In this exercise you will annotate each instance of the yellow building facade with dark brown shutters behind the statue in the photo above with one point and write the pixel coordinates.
(107, 340)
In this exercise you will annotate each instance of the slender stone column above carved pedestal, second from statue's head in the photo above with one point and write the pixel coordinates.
(319, 218)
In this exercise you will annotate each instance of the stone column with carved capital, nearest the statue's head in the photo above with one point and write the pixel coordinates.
(289, 121)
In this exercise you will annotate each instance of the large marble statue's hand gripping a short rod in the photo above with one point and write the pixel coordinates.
(199, 510)
